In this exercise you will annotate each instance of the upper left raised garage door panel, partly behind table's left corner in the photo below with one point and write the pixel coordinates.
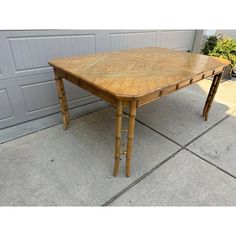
(35, 52)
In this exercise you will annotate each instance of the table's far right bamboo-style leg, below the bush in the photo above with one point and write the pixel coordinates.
(211, 95)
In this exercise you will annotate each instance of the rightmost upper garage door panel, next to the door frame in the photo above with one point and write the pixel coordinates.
(181, 40)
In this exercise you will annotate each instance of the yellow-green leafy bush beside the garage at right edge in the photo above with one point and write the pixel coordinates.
(219, 46)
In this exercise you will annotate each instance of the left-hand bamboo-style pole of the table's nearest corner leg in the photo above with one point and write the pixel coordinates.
(118, 125)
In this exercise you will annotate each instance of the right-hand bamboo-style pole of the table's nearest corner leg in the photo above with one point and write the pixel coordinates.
(130, 136)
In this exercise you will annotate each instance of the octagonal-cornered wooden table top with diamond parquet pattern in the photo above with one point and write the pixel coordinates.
(136, 72)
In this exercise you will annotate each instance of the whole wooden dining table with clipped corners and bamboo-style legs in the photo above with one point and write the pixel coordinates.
(133, 78)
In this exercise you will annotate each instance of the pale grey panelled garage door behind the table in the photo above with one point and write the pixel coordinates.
(27, 89)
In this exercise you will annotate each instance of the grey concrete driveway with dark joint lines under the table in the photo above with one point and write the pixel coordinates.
(178, 159)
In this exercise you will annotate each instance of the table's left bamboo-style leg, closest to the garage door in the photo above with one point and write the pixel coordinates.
(63, 103)
